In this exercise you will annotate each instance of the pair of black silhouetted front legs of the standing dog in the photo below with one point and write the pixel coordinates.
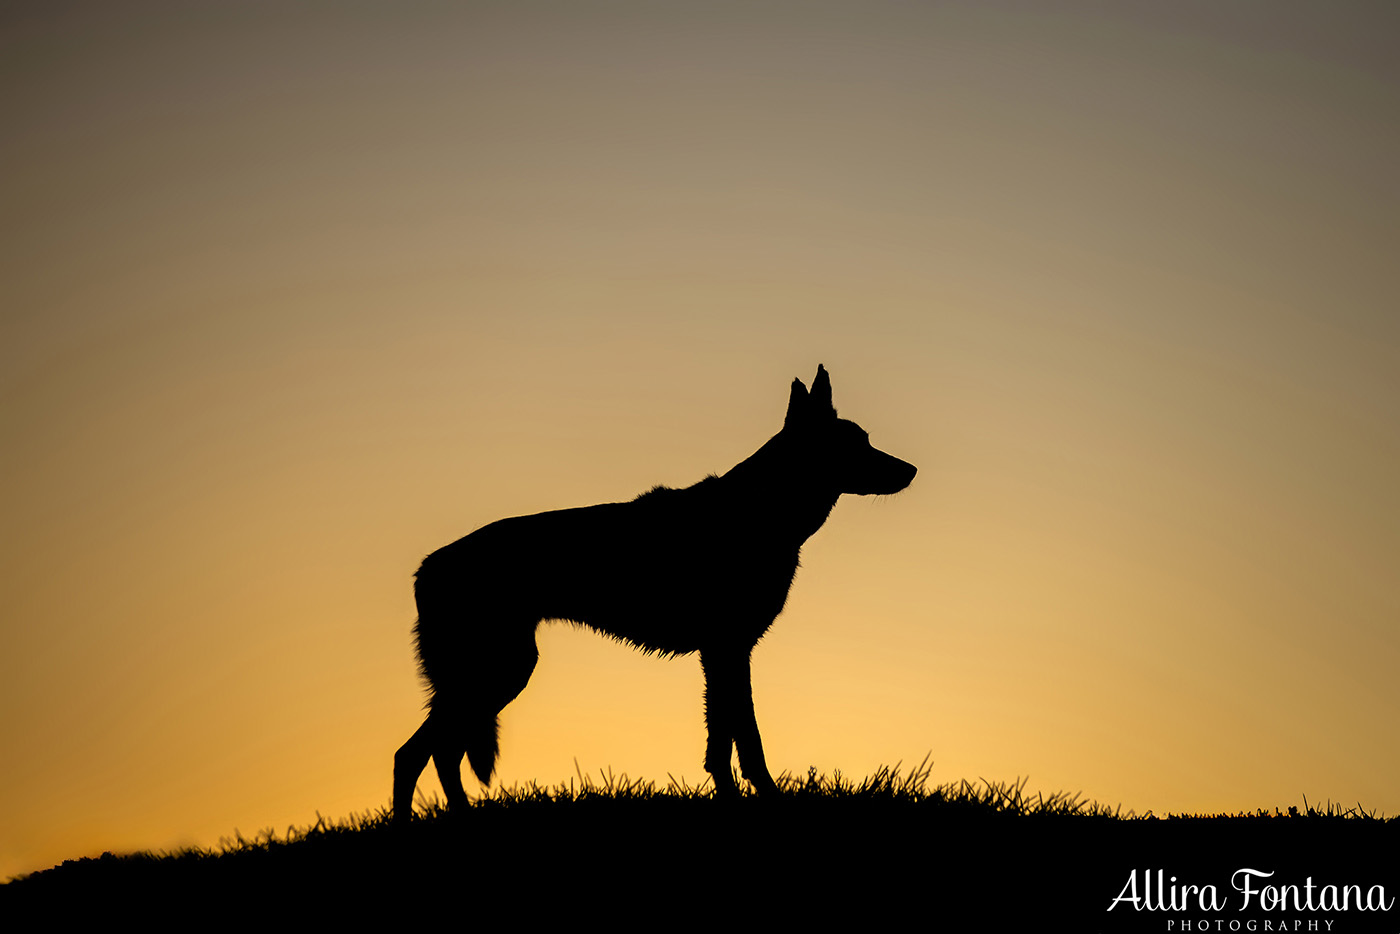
(729, 691)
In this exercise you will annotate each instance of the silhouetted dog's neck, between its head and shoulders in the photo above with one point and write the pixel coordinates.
(773, 484)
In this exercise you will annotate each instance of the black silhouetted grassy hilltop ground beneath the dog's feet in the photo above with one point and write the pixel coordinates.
(888, 848)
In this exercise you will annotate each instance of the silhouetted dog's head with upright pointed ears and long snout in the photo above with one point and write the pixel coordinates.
(838, 452)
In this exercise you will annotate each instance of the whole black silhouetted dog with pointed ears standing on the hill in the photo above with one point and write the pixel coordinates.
(703, 569)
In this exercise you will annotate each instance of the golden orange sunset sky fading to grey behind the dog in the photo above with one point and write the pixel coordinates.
(295, 295)
